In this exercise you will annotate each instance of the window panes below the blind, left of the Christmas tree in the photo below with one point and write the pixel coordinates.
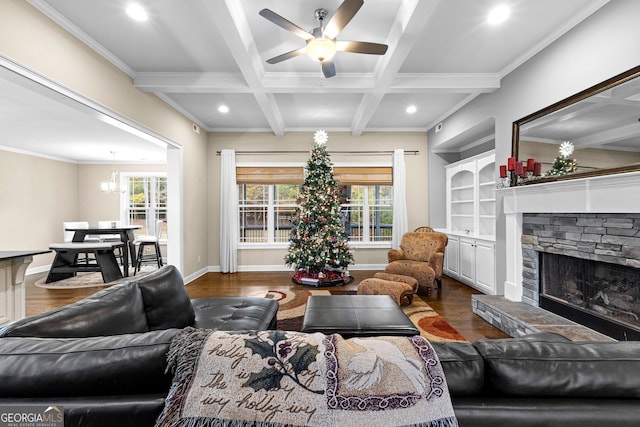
(266, 212)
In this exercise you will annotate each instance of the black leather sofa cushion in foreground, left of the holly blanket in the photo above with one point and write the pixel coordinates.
(117, 364)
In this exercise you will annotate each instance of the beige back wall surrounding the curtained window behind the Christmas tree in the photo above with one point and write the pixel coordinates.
(417, 185)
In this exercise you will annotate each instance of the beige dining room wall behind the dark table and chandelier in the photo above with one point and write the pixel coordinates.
(39, 194)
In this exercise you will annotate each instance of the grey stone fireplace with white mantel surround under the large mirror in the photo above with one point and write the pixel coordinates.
(593, 220)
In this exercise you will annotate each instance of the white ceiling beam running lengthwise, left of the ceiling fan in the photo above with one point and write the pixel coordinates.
(229, 18)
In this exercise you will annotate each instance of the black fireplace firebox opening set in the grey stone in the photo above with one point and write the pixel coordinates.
(600, 295)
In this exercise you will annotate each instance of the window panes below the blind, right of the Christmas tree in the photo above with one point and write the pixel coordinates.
(368, 212)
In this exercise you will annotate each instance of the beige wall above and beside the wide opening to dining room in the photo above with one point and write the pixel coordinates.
(32, 40)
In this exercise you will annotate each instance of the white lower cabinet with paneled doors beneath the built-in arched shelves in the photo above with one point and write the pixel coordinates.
(471, 261)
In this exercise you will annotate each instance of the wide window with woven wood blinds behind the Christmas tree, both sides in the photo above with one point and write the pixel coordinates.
(267, 202)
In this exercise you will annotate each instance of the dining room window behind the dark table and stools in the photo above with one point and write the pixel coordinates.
(146, 201)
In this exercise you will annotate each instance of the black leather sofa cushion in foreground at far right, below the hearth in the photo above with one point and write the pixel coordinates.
(530, 367)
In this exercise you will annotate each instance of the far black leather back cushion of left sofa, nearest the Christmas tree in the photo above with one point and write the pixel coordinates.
(166, 301)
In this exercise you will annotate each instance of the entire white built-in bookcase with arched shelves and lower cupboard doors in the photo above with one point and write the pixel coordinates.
(471, 222)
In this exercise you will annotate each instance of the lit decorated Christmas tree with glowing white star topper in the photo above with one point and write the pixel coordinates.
(318, 247)
